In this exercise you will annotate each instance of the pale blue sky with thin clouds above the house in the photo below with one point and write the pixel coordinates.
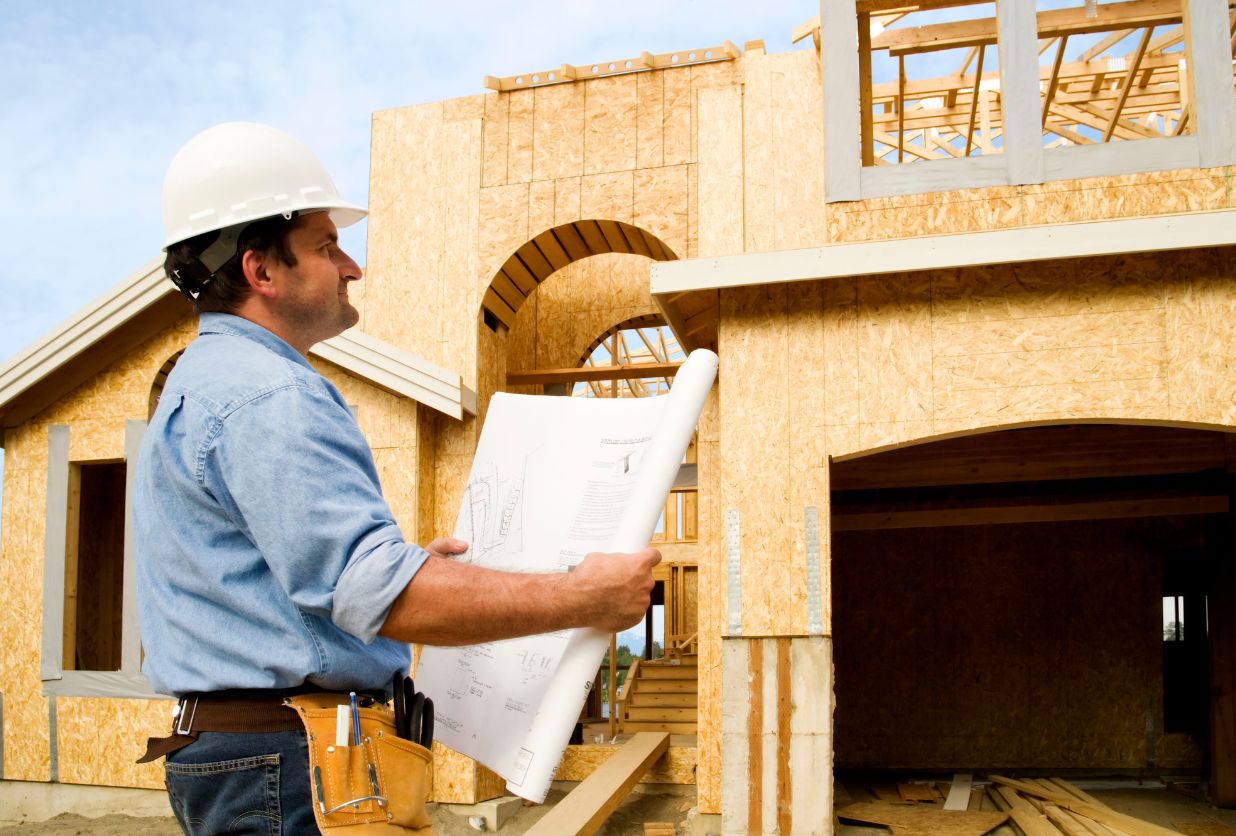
(99, 96)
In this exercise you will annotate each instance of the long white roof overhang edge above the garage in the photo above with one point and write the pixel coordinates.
(689, 280)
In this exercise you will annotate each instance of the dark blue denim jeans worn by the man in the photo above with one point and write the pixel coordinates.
(234, 783)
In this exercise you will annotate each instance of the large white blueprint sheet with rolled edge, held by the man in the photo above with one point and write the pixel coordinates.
(553, 480)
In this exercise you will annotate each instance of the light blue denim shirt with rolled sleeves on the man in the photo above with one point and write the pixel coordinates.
(266, 555)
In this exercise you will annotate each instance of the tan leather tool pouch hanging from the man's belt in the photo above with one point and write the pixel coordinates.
(379, 787)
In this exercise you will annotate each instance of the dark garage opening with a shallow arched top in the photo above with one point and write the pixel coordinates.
(1049, 600)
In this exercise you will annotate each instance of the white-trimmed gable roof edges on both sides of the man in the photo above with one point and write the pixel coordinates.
(118, 321)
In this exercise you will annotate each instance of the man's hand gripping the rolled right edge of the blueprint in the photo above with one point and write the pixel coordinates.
(616, 589)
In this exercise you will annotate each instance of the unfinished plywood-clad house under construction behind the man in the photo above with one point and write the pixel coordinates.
(962, 497)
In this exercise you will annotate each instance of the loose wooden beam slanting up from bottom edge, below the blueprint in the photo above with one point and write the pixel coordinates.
(588, 807)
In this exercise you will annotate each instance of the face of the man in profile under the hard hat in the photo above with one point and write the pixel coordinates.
(313, 295)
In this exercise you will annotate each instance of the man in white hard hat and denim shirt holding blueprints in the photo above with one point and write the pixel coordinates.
(269, 562)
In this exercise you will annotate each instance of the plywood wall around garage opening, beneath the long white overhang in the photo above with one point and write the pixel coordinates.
(860, 364)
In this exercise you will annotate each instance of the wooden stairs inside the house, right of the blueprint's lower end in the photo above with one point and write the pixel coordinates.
(661, 696)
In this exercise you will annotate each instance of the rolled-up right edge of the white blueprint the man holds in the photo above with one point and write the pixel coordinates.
(552, 729)
